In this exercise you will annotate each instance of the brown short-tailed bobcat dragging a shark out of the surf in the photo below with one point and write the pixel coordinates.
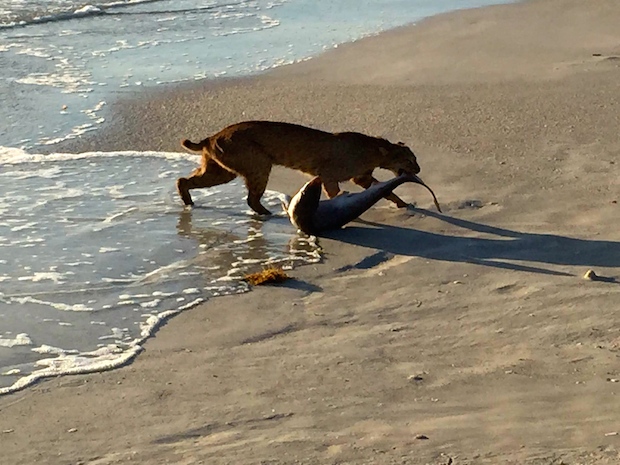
(250, 149)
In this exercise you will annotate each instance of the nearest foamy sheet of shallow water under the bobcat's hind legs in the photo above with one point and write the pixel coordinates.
(90, 253)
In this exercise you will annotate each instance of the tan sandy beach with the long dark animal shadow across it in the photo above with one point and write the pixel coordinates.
(466, 338)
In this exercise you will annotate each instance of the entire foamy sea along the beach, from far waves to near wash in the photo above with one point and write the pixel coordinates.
(91, 261)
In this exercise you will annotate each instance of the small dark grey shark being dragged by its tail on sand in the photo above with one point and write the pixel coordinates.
(313, 216)
